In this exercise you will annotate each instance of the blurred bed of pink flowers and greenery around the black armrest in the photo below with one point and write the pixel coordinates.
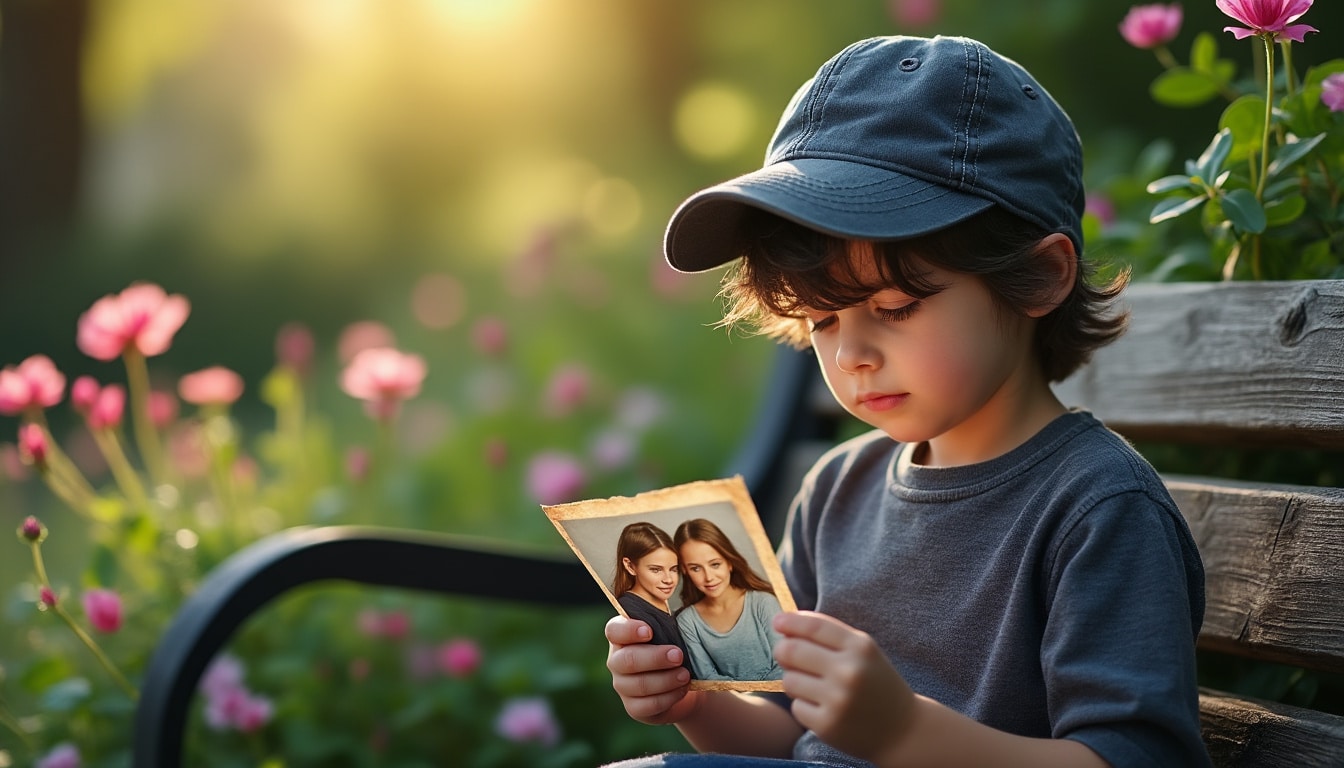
(139, 481)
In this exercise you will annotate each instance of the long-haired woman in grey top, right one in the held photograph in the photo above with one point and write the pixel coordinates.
(726, 609)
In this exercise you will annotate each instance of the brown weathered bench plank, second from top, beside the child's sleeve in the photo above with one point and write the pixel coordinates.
(1275, 568)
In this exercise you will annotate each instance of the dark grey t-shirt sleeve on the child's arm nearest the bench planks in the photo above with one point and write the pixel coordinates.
(1126, 597)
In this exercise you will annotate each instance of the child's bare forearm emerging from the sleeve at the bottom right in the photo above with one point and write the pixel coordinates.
(936, 735)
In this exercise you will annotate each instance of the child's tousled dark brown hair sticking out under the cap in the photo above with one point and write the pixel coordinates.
(788, 267)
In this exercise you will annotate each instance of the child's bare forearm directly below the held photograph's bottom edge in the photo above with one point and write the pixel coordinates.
(739, 724)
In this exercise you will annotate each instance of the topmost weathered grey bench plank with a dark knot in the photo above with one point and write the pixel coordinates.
(1224, 361)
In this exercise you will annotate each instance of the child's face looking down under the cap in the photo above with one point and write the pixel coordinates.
(954, 369)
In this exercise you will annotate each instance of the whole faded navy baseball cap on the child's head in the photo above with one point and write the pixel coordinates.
(898, 138)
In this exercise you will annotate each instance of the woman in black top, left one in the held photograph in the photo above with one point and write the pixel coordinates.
(647, 575)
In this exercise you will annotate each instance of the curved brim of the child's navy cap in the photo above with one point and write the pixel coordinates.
(835, 197)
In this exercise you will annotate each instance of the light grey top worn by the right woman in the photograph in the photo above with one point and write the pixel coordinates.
(744, 653)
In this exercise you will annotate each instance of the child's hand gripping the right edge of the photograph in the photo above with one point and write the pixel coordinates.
(845, 689)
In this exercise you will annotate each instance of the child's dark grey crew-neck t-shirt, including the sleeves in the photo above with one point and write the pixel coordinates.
(1052, 592)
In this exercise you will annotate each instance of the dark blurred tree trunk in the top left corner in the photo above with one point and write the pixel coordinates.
(41, 122)
